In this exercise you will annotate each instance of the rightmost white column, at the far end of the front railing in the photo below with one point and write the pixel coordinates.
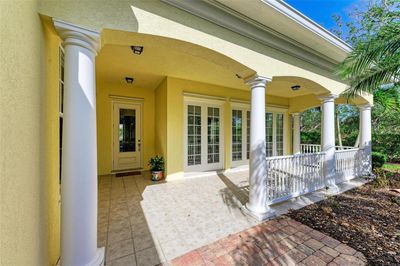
(365, 136)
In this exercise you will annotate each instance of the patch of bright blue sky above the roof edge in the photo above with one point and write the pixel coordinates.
(321, 11)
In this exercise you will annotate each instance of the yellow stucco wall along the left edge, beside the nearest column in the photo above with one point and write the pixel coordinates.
(29, 219)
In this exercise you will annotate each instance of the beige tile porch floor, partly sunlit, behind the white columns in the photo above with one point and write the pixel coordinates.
(141, 222)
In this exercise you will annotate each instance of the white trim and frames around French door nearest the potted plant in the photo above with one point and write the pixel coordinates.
(204, 102)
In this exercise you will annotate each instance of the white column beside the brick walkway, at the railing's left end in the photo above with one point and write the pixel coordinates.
(257, 206)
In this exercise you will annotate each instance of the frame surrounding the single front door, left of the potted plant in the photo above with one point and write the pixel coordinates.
(131, 101)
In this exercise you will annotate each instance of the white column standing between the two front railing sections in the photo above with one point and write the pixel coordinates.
(328, 140)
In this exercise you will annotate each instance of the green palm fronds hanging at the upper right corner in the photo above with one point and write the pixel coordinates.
(374, 64)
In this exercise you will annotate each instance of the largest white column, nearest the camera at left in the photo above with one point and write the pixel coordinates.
(79, 157)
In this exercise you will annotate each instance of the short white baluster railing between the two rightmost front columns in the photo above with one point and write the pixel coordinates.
(349, 164)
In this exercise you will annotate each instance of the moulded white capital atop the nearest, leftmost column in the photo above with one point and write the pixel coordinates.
(76, 35)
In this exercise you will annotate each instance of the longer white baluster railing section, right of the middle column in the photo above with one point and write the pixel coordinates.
(294, 175)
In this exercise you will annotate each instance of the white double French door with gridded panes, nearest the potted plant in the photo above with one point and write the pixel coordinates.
(203, 136)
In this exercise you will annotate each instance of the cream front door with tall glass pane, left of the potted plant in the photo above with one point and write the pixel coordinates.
(127, 136)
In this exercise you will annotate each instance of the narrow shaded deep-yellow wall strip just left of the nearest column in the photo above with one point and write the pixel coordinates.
(50, 140)
